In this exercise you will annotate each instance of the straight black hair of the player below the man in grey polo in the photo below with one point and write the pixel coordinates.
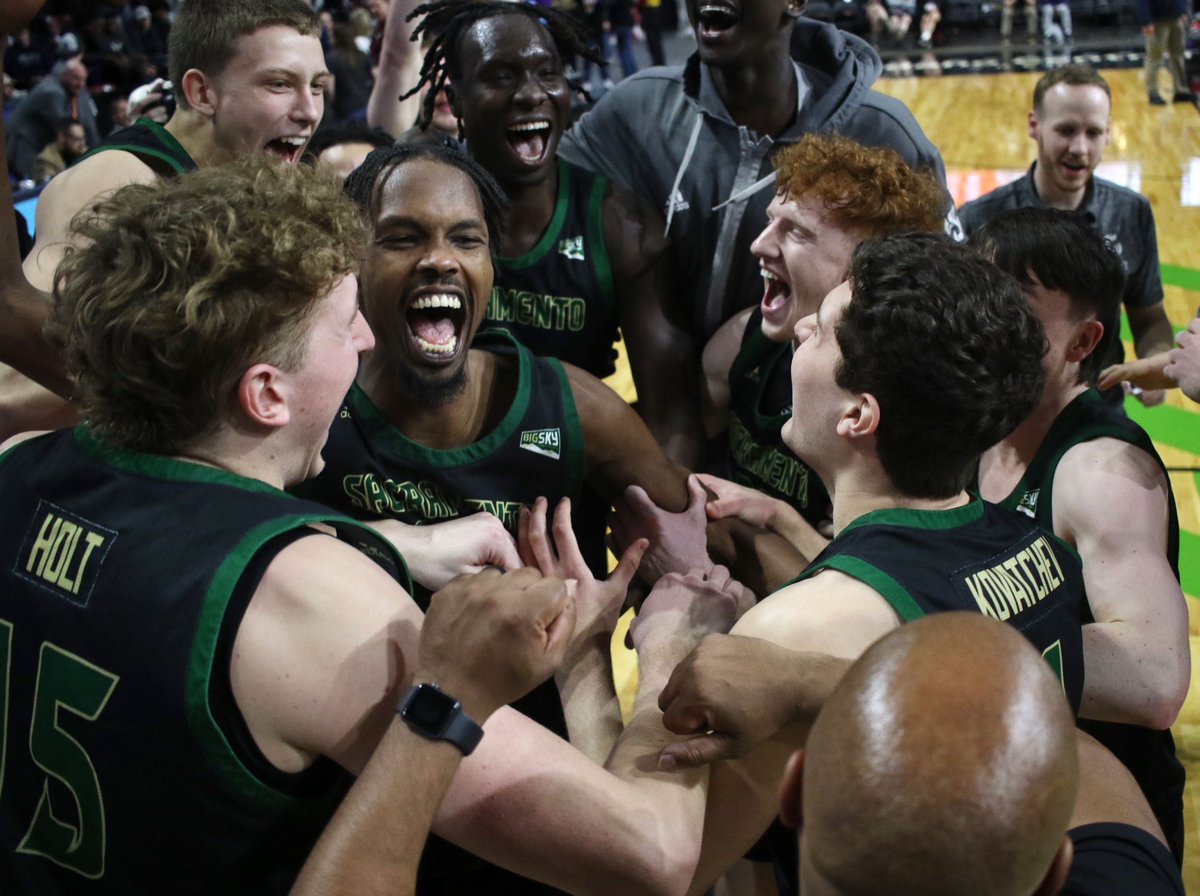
(1063, 251)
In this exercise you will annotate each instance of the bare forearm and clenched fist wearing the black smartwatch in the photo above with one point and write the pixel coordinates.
(375, 841)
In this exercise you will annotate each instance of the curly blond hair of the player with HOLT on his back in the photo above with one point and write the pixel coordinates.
(179, 286)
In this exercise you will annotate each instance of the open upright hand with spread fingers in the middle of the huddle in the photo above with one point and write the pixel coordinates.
(598, 603)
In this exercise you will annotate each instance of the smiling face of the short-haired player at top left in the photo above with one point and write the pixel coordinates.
(271, 97)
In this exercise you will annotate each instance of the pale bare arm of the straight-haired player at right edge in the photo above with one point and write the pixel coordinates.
(1137, 651)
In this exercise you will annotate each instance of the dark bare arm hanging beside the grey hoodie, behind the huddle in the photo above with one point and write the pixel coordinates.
(661, 347)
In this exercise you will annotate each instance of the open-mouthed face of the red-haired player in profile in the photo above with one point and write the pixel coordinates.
(803, 254)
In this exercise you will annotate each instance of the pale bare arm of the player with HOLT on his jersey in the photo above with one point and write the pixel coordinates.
(321, 659)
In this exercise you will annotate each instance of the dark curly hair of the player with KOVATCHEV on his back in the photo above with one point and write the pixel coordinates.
(950, 348)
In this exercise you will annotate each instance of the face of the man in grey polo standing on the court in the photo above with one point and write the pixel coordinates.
(1072, 130)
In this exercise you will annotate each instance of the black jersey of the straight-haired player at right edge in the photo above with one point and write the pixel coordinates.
(1148, 754)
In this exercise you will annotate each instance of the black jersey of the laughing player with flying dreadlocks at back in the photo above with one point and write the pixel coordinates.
(557, 299)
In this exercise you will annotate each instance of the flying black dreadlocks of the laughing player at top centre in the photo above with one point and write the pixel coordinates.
(447, 21)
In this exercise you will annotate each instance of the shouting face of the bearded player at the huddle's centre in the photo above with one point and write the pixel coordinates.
(427, 279)
